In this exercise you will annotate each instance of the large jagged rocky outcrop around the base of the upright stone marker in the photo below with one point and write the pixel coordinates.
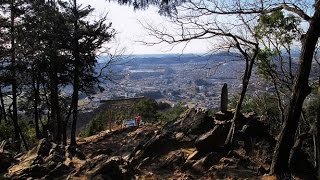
(196, 129)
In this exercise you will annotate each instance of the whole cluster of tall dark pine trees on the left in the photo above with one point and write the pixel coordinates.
(45, 46)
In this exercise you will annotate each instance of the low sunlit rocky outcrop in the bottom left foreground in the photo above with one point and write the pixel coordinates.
(49, 161)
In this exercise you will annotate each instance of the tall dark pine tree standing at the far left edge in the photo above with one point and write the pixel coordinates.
(12, 10)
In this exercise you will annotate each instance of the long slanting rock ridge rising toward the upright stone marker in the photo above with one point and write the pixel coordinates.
(183, 131)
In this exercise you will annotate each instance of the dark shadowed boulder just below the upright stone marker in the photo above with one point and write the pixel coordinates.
(212, 140)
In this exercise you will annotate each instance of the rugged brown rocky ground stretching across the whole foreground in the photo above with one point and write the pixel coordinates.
(191, 147)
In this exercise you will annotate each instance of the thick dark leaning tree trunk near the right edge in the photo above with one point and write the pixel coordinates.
(300, 91)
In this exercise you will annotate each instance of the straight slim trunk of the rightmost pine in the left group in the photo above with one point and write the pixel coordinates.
(75, 95)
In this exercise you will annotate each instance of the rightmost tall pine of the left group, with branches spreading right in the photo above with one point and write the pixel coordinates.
(85, 39)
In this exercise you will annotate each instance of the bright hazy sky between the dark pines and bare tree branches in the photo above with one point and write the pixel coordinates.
(126, 22)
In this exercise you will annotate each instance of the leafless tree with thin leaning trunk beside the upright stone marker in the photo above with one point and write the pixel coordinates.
(228, 25)
